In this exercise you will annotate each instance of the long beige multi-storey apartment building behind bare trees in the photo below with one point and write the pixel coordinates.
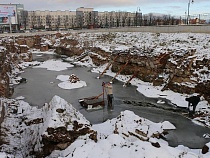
(81, 18)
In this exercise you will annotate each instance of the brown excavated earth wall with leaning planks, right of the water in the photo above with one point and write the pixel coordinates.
(147, 67)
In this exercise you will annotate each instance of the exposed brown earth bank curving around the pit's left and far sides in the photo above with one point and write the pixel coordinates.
(147, 67)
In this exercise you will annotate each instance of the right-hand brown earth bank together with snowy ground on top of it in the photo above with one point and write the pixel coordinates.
(181, 70)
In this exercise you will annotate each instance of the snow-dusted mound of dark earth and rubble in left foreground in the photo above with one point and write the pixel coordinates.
(53, 127)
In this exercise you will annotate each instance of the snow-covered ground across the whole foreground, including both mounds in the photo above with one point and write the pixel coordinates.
(128, 135)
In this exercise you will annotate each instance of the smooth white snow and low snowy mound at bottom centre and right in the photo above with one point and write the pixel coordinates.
(123, 144)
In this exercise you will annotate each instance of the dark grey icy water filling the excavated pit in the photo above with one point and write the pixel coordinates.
(42, 85)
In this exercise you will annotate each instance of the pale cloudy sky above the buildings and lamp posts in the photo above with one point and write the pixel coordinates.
(172, 7)
